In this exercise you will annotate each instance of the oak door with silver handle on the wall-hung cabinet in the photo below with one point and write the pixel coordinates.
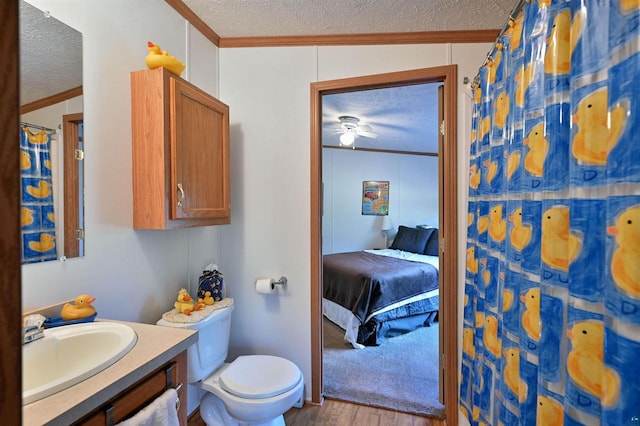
(199, 155)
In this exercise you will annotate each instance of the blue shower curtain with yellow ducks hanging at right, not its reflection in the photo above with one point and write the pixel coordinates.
(551, 331)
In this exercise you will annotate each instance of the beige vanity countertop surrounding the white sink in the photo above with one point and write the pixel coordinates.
(155, 346)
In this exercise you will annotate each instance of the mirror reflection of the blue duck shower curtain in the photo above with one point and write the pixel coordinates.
(37, 213)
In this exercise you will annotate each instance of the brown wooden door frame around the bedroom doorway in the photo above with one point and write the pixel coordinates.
(448, 220)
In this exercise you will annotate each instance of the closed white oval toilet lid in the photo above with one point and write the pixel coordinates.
(259, 376)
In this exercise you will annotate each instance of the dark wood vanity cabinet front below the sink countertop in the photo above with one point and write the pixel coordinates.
(130, 401)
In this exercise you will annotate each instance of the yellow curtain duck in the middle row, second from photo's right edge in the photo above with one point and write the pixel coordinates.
(559, 246)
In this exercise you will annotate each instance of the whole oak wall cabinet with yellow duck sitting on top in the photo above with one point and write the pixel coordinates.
(180, 153)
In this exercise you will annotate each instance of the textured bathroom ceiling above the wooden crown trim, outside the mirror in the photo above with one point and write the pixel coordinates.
(244, 18)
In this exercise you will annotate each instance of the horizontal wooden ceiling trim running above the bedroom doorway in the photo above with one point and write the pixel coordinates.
(425, 37)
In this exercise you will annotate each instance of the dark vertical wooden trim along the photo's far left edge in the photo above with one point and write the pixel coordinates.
(10, 267)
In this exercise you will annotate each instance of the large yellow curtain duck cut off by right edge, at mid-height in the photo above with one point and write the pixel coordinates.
(625, 267)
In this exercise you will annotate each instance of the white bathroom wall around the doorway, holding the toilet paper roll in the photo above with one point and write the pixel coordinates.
(268, 92)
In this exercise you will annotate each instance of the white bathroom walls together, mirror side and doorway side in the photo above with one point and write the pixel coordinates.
(135, 275)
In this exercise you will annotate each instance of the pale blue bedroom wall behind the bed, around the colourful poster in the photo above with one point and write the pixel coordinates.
(413, 196)
